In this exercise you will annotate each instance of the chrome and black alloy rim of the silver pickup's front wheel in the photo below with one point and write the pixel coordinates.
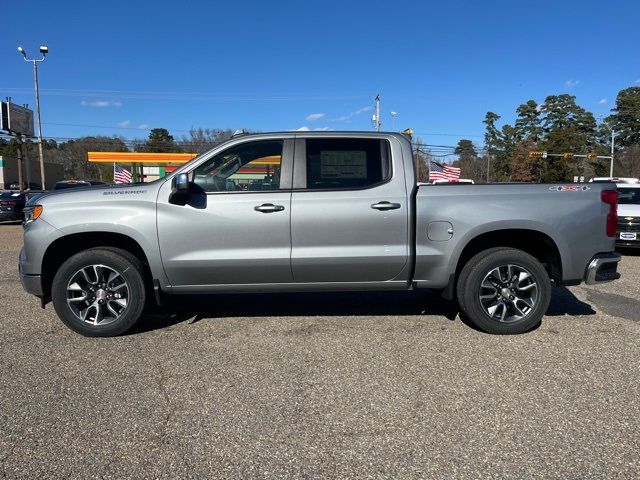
(97, 294)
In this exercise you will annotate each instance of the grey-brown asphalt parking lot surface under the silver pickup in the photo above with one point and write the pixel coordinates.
(316, 386)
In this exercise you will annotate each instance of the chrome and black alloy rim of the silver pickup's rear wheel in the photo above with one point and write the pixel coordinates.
(508, 293)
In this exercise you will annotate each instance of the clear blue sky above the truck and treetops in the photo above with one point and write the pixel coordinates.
(123, 67)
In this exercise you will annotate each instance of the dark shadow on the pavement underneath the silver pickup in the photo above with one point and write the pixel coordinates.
(196, 308)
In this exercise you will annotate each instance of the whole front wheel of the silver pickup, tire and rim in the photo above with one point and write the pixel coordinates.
(99, 292)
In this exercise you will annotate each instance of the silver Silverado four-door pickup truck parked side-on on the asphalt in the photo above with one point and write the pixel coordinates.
(321, 211)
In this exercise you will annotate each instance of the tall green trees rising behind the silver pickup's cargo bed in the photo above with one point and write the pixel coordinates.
(558, 125)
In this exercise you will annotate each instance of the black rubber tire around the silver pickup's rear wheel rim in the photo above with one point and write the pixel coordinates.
(470, 288)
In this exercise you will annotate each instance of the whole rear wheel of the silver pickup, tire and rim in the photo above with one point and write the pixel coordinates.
(504, 291)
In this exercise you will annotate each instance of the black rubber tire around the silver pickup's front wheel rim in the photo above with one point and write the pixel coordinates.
(131, 272)
